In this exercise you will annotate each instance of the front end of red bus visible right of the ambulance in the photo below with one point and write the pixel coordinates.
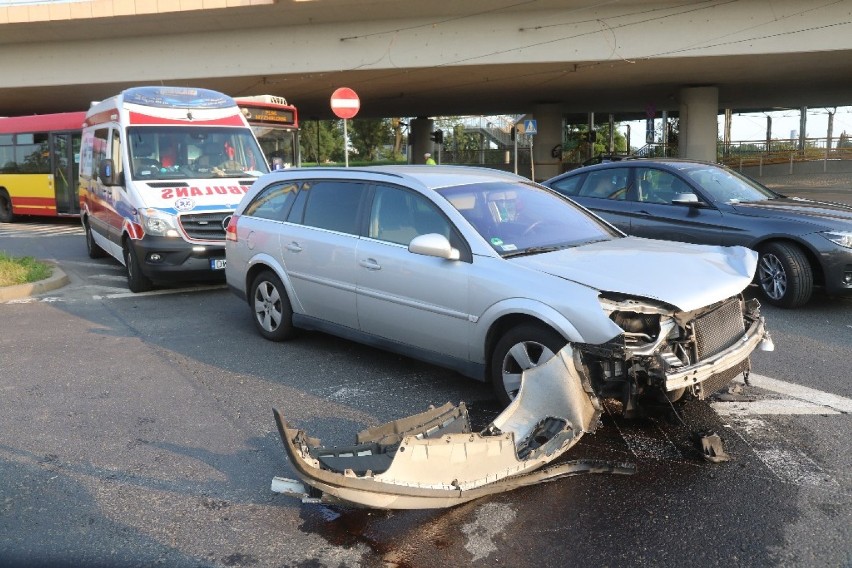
(276, 125)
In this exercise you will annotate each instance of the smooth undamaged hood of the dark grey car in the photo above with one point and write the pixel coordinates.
(822, 214)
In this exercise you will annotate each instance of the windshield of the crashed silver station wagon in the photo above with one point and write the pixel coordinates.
(518, 218)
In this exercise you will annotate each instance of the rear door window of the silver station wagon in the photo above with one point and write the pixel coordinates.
(333, 205)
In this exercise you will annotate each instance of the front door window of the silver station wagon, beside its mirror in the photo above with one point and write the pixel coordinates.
(397, 216)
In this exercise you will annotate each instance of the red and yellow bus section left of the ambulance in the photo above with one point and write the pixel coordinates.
(39, 159)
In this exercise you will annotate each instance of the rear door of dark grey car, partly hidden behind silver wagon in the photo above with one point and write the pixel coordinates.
(605, 191)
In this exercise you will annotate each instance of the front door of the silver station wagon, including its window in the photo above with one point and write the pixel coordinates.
(405, 297)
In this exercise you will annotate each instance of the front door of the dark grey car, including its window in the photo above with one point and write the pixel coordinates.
(655, 216)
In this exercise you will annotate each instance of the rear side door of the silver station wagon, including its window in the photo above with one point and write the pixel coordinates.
(318, 250)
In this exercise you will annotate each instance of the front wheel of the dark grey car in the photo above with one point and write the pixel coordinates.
(784, 275)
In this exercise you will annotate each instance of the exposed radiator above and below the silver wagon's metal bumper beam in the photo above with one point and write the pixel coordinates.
(714, 332)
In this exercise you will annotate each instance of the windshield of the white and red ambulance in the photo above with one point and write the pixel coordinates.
(179, 152)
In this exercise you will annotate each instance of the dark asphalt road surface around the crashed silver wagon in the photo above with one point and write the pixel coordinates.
(137, 431)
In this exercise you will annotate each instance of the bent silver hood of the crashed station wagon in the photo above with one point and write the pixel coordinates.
(684, 275)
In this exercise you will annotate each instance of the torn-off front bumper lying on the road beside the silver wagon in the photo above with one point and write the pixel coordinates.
(434, 459)
